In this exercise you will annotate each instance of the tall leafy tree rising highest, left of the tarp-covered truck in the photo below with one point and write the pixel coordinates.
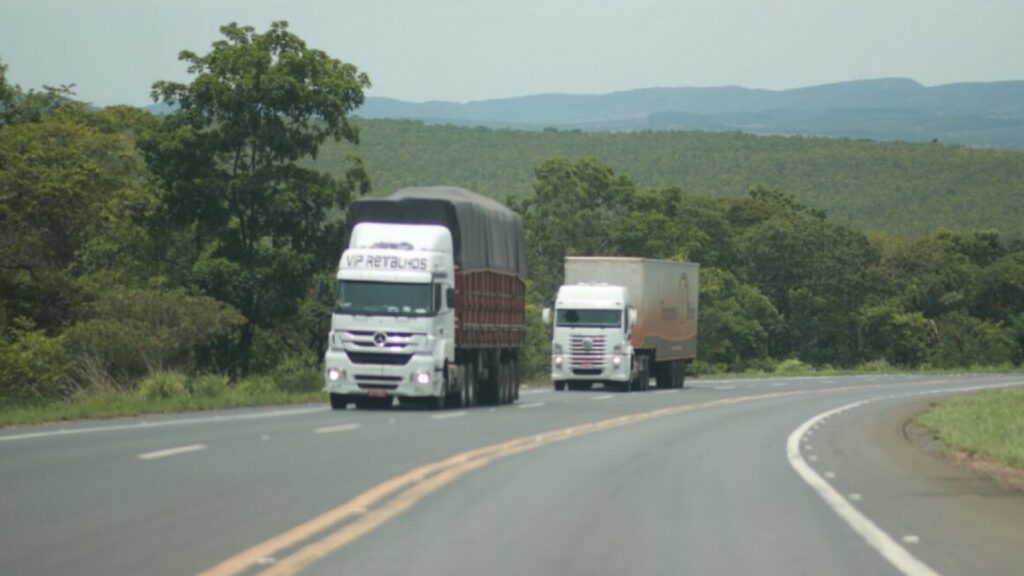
(229, 159)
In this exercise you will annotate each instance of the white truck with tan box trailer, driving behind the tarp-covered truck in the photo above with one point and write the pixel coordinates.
(619, 321)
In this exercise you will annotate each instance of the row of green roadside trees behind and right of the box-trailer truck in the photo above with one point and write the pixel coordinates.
(783, 286)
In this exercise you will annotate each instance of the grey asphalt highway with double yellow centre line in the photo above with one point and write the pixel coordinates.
(797, 476)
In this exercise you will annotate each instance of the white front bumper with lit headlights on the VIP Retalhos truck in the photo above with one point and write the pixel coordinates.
(417, 379)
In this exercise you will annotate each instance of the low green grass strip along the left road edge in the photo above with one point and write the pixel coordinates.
(115, 404)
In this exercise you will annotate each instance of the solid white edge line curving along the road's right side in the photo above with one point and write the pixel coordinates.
(891, 551)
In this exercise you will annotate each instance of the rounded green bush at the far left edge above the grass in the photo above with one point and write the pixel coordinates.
(34, 367)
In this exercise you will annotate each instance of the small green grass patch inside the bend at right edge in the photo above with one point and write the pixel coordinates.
(991, 425)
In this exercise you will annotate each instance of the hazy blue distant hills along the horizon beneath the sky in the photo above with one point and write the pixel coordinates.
(988, 115)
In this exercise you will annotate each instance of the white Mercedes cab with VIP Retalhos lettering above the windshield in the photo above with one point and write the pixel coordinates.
(393, 327)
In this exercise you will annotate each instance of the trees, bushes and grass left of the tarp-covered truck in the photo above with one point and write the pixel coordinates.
(140, 253)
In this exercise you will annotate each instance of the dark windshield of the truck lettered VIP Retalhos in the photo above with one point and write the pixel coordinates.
(385, 299)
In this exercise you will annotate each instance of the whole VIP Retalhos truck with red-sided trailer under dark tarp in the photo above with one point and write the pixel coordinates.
(431, 302)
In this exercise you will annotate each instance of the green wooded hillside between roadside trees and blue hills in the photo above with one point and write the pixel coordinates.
(912, 189)
